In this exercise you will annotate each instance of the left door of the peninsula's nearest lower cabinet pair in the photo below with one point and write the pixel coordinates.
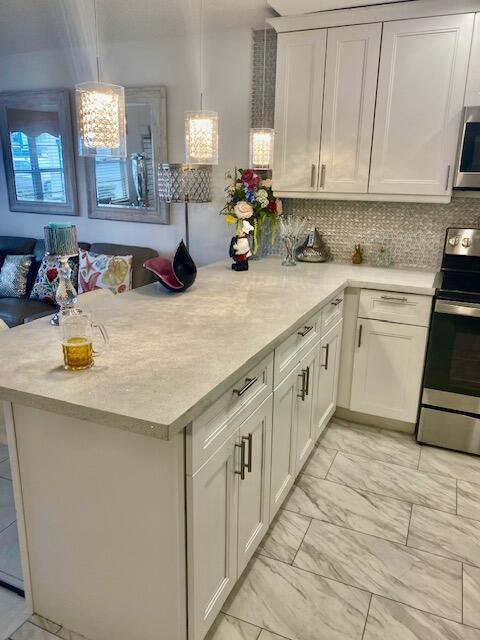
(212, 495)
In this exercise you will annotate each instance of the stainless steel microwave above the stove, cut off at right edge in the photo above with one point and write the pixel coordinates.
(468, 169)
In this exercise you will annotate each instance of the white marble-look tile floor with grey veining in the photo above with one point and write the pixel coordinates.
(378, 539)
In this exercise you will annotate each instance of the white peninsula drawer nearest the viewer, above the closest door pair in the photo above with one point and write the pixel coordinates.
(217, 423)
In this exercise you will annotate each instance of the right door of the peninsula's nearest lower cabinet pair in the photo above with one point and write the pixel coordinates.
(254, 489)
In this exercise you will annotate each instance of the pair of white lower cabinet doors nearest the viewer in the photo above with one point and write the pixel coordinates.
(228, 512)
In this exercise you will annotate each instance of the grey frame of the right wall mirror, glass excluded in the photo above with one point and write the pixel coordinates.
(156, 97)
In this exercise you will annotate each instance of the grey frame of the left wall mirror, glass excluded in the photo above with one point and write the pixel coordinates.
(36, 100)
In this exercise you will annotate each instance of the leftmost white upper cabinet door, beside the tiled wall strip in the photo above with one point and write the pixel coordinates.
(298, 109)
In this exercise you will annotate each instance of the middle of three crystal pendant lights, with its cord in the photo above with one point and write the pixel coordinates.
(201, 127)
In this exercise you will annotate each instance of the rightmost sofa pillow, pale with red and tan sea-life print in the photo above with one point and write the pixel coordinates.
(99, 271)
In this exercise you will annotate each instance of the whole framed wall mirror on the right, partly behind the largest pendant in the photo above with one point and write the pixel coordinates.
(126, 188)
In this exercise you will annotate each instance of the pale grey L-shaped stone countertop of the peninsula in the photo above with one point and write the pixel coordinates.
(172, 355)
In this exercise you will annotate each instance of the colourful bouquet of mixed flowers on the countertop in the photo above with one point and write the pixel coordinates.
(251, 197)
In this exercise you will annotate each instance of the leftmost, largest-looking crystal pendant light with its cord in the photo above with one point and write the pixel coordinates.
(100, 114)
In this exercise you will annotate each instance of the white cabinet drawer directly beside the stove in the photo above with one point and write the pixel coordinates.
(405, 308)
